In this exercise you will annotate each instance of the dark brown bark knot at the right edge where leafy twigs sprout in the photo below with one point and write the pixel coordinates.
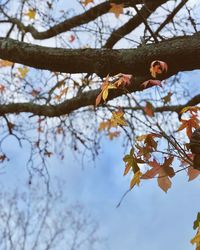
(195, 148)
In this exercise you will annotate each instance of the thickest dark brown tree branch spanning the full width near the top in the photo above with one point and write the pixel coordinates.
(180, 53)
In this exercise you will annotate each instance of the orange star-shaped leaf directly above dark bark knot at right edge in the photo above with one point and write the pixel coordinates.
(189, 124)
